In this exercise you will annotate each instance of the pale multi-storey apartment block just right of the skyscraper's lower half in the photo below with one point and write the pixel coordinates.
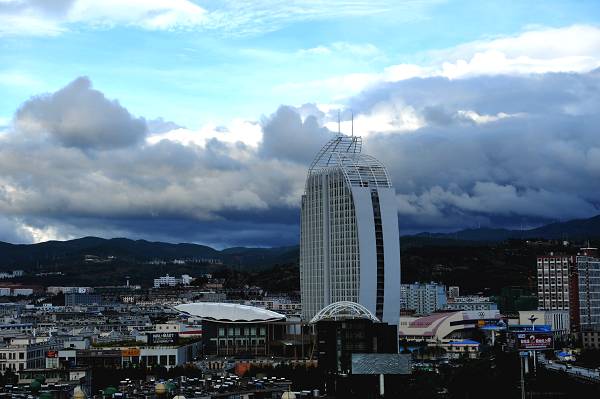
(423, 298)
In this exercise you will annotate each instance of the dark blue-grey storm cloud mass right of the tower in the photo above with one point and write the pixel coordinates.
(533, 158)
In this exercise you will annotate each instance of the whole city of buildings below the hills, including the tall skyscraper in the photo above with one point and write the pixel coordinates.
(351, 329)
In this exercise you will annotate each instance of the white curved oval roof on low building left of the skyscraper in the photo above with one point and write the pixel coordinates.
(228, 312)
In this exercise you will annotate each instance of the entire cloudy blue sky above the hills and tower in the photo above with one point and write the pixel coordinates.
(195, 121)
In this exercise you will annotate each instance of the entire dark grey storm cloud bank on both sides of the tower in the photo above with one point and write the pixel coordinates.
(494, 150)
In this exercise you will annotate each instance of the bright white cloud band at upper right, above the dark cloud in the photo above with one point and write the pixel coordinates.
(569, 49)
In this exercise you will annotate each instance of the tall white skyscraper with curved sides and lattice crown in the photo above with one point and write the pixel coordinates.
(349, 246)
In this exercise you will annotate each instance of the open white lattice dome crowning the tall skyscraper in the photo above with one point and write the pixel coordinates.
(344, 152)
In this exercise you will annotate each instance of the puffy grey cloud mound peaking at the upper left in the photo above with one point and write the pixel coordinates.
(79, 116)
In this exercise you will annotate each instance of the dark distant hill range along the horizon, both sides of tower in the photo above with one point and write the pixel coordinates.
(140, 251)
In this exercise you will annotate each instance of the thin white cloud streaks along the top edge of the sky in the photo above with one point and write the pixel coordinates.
(227, 17)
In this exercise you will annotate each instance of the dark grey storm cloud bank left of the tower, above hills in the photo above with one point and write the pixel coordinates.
(96, 168)
